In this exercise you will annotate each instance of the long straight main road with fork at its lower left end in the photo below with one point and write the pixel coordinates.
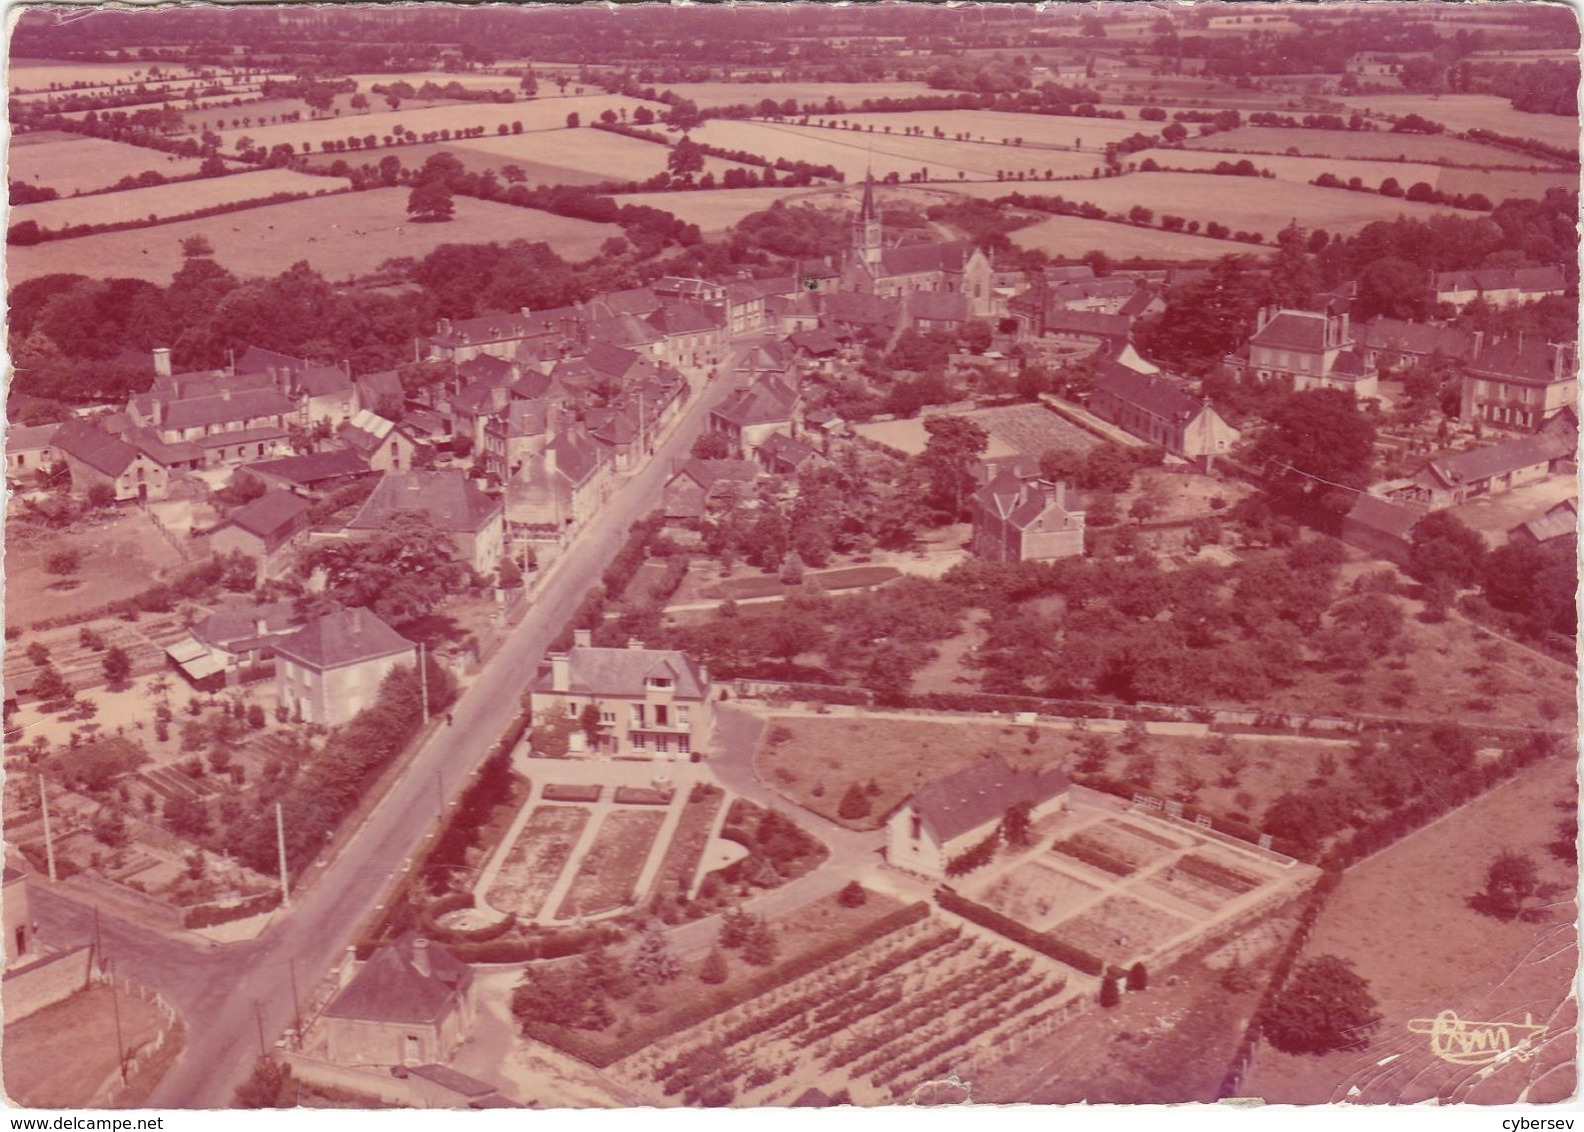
(232, 993)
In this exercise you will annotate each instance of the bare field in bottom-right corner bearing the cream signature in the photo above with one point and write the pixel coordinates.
(1404, 922)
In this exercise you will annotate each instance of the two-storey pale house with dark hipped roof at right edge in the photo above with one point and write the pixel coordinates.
(1520, 384)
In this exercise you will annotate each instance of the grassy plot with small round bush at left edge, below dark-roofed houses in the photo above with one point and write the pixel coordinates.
(120, 558)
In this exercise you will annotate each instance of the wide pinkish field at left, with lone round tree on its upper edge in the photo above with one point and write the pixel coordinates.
(341, 235)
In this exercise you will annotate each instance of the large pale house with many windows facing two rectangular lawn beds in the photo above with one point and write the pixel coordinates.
(652, 704)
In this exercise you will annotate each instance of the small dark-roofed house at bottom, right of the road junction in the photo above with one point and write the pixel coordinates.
(411, 1005)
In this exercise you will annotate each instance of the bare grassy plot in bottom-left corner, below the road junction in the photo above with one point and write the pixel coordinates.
(61, 1057)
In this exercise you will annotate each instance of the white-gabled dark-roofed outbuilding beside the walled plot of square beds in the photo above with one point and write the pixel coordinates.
(946, 818)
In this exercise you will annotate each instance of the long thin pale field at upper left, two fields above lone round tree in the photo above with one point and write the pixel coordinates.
(535, 115)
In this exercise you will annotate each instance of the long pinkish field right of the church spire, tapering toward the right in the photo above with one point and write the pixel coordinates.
(1241, 203)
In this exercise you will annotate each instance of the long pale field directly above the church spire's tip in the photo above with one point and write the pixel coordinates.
(855, 153)
